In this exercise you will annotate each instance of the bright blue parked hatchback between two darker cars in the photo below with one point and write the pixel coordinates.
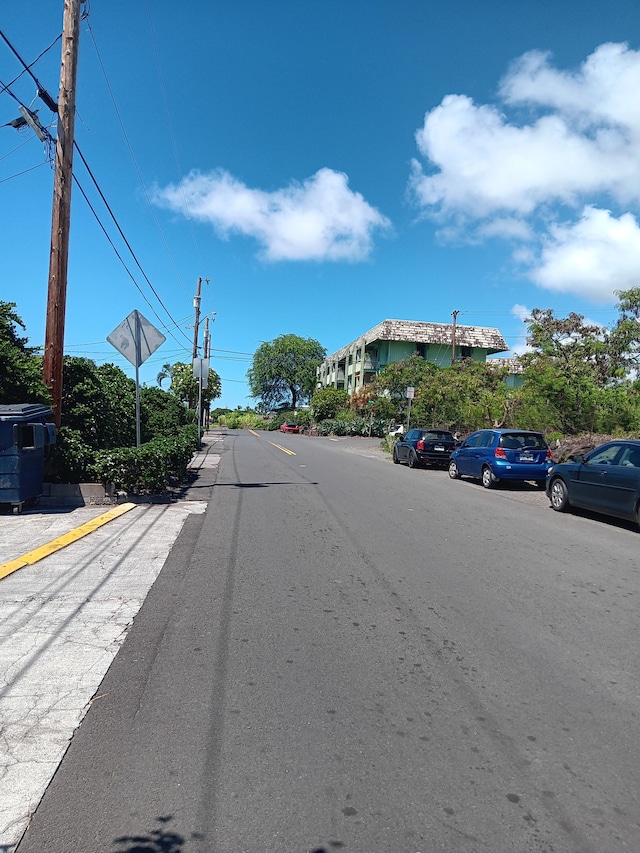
(491, 455)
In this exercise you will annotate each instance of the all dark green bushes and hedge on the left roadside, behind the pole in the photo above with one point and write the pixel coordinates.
(97, 438)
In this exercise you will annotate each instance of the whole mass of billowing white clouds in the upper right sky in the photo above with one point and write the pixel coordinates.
(486, 173)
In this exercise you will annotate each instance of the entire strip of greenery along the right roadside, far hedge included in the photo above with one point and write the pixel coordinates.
(579, 382)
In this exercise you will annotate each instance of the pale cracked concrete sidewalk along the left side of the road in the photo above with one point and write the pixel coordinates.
(64, 617)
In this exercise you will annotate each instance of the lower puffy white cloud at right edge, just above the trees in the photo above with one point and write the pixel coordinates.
(593, 257)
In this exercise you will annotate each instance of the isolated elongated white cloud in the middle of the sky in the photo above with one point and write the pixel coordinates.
(319, 219)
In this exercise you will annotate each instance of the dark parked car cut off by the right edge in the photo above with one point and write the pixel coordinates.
(605, 480)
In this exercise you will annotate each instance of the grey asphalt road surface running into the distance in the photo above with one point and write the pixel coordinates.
(347, 655)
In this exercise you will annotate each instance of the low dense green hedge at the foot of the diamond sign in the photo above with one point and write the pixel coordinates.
(147, 469)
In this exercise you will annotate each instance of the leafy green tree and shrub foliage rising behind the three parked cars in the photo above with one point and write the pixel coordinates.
(578, 376)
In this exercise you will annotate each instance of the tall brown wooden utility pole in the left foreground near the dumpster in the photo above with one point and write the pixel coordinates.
(61, 216)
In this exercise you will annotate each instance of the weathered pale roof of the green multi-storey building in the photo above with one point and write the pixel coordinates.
(417, 332)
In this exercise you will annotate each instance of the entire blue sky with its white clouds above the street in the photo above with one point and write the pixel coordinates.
(327, 165)
